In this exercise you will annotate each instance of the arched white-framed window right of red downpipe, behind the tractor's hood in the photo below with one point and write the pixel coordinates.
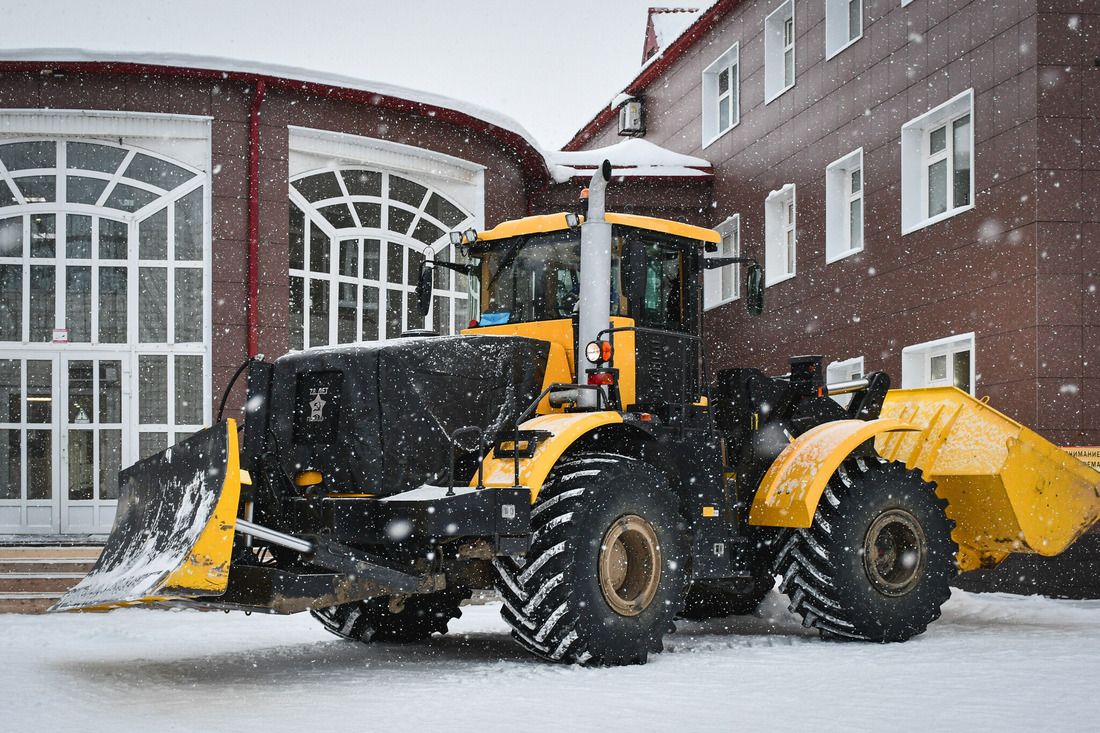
(358, 238)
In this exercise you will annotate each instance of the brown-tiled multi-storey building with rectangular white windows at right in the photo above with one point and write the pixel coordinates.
(917, 178)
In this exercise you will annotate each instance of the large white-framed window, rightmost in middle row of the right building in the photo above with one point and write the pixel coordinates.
(917, 159)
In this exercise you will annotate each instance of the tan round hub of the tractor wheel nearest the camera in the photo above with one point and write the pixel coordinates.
(630, 565)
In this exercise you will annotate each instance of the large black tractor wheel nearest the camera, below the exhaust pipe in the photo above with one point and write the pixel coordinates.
(604, 576)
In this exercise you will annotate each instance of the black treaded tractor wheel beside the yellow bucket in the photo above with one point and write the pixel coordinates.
(879, 559)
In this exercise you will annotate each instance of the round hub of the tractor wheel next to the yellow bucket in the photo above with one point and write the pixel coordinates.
(896, 553)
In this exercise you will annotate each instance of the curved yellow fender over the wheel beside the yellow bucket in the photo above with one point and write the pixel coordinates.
(793, 487)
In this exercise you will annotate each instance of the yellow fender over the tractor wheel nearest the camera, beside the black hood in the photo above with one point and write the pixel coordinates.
(565, 432)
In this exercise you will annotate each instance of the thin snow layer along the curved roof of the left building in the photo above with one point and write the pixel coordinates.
(277, 71)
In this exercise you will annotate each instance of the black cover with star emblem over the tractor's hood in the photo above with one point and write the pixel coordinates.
(377, 418)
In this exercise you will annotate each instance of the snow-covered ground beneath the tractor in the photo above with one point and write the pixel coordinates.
(993, 662)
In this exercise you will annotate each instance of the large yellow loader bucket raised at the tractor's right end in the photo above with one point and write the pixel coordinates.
(1009, 490)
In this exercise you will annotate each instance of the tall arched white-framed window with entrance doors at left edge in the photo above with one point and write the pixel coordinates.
(104, 321)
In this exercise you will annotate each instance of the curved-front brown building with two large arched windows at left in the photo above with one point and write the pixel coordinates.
(160, 225)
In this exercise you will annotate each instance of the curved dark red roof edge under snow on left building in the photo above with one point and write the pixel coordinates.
(530, 157)
